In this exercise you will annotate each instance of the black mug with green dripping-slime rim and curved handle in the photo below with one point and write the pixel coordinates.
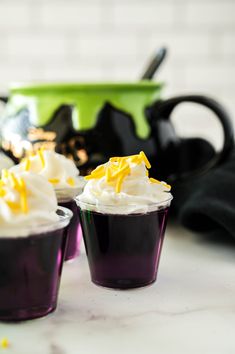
(92, 121)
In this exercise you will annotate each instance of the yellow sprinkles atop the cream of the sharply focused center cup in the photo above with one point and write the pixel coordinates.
(119, 168)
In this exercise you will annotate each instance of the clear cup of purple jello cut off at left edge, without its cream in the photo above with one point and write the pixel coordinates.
(30, 269)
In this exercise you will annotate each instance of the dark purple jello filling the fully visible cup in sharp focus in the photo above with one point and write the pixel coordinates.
(123, 250)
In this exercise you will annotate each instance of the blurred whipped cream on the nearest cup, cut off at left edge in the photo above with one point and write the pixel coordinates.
(42, 206)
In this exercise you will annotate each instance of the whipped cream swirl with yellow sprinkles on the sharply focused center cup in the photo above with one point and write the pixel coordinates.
(137, 193)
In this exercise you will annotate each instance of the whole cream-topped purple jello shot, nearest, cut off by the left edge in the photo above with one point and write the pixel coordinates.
(32, 246)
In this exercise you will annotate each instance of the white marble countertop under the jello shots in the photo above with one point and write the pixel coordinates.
(190, 309)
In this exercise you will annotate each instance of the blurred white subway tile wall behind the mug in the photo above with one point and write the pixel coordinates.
(92, 40)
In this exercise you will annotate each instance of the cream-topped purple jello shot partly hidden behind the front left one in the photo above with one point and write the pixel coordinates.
(63, 174)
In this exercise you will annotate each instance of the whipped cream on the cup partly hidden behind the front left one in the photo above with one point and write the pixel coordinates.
(56, 166)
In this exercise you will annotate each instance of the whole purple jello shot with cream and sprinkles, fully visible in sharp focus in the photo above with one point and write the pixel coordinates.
(123, 217)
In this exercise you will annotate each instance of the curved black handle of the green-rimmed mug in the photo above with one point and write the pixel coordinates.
(162, 111)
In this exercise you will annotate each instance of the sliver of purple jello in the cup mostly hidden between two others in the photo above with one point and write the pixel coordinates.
(74, 231)
